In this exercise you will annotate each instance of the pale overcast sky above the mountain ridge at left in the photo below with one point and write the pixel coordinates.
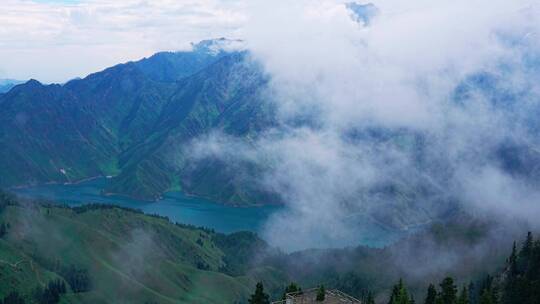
(56, 40)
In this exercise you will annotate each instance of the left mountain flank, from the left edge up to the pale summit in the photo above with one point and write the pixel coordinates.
(65, 133)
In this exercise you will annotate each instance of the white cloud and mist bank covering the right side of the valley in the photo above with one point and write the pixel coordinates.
(391, 115)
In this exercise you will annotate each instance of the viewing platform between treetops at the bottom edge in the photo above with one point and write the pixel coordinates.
(309, 296)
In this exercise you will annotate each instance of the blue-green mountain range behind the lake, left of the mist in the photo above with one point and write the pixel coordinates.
(123, 121)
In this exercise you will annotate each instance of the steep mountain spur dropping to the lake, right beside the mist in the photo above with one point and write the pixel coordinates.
(225, 96)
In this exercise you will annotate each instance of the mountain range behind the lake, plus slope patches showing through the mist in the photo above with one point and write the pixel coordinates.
(133, 122)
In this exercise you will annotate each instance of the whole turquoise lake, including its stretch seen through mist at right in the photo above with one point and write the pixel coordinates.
(181, 208)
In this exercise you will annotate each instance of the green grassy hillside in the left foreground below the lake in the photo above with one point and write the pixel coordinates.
(103, 253)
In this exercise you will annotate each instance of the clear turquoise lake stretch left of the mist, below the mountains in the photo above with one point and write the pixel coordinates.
(175, 205)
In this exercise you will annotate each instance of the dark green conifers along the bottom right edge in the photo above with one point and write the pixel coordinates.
(517, 283)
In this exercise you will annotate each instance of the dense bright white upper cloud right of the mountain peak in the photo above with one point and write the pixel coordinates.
(314, 49)
